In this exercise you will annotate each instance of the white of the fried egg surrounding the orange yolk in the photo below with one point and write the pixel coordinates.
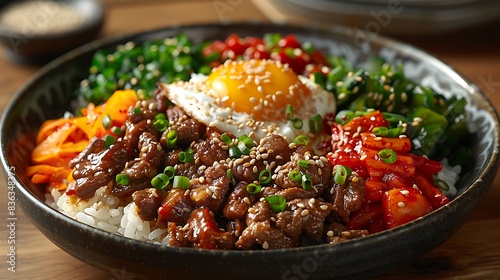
(194, 98)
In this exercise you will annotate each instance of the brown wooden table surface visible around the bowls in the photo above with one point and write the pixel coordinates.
(472, 253)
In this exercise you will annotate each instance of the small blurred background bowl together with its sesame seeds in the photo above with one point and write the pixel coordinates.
(38, 31)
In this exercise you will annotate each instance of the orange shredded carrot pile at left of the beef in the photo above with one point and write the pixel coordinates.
(60, 140)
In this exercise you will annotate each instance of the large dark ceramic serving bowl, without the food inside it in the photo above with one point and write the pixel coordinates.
(48, 94)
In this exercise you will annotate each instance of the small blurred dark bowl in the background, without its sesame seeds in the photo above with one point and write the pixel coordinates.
(30, 47)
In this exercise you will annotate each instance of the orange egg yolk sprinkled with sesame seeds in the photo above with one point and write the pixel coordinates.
(261, 88)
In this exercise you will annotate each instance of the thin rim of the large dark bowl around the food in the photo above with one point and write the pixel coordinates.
(490, 167)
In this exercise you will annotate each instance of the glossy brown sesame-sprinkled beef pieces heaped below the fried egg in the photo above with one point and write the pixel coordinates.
(217, 211)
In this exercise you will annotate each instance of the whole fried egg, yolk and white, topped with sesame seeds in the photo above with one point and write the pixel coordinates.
(251, 97)
